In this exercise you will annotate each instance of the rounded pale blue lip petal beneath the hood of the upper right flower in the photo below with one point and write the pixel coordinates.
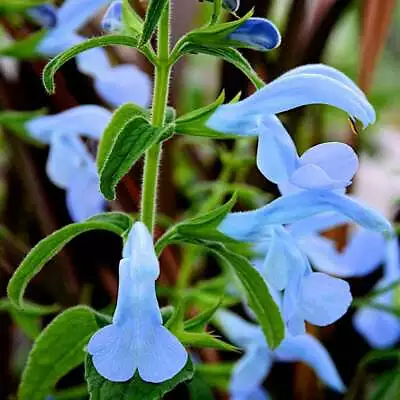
(337, 160)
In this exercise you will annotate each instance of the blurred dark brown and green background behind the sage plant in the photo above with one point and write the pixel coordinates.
(359, 37)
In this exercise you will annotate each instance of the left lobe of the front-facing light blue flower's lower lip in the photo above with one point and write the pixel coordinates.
(113, 352)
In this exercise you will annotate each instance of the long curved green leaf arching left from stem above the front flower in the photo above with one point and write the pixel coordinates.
(47, 248)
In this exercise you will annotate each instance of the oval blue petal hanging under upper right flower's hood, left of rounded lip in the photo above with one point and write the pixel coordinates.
(276, 154)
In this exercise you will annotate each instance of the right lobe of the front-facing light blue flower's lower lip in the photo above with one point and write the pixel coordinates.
(161, 355)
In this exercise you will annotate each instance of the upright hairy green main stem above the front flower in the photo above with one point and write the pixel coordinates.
(160, 101)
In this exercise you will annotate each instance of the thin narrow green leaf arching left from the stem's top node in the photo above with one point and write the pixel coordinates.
(57, 62)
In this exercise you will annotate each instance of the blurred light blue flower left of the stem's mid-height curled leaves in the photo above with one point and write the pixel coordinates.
(70, 166)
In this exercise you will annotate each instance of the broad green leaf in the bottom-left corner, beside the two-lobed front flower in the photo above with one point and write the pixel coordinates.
(58, 350)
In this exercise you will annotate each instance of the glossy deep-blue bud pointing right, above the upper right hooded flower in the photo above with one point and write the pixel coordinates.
(259, 33)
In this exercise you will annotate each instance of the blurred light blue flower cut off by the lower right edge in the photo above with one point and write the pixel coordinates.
(380, 328)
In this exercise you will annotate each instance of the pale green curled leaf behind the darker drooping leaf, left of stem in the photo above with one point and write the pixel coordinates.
(120, 118)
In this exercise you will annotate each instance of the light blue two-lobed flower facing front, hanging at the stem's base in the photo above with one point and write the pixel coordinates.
(136, 340)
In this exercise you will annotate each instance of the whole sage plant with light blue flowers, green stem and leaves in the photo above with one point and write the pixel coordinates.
(274, 261)
